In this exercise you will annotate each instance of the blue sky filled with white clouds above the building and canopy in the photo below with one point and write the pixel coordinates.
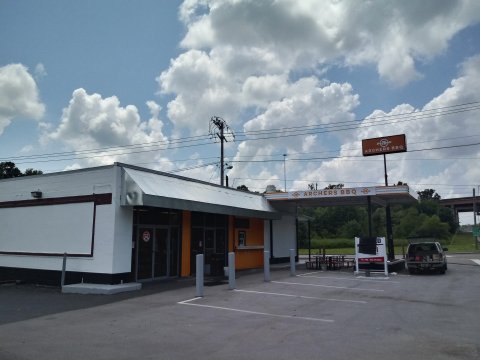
(299, 85)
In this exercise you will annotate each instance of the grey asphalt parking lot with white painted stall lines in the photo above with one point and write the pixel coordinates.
(313, 315)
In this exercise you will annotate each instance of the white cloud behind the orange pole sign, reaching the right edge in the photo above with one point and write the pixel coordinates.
(437, 130)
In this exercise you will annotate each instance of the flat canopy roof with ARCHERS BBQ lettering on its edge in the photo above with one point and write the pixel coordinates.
(380, 195)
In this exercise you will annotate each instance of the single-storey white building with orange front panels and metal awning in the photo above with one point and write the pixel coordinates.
(122, 223)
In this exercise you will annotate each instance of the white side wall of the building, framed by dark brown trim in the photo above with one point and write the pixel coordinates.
(66, 227)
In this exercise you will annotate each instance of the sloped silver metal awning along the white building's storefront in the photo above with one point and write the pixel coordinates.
(142, 187)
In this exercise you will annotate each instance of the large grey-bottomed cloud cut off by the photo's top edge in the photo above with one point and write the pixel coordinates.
(393, 35)
